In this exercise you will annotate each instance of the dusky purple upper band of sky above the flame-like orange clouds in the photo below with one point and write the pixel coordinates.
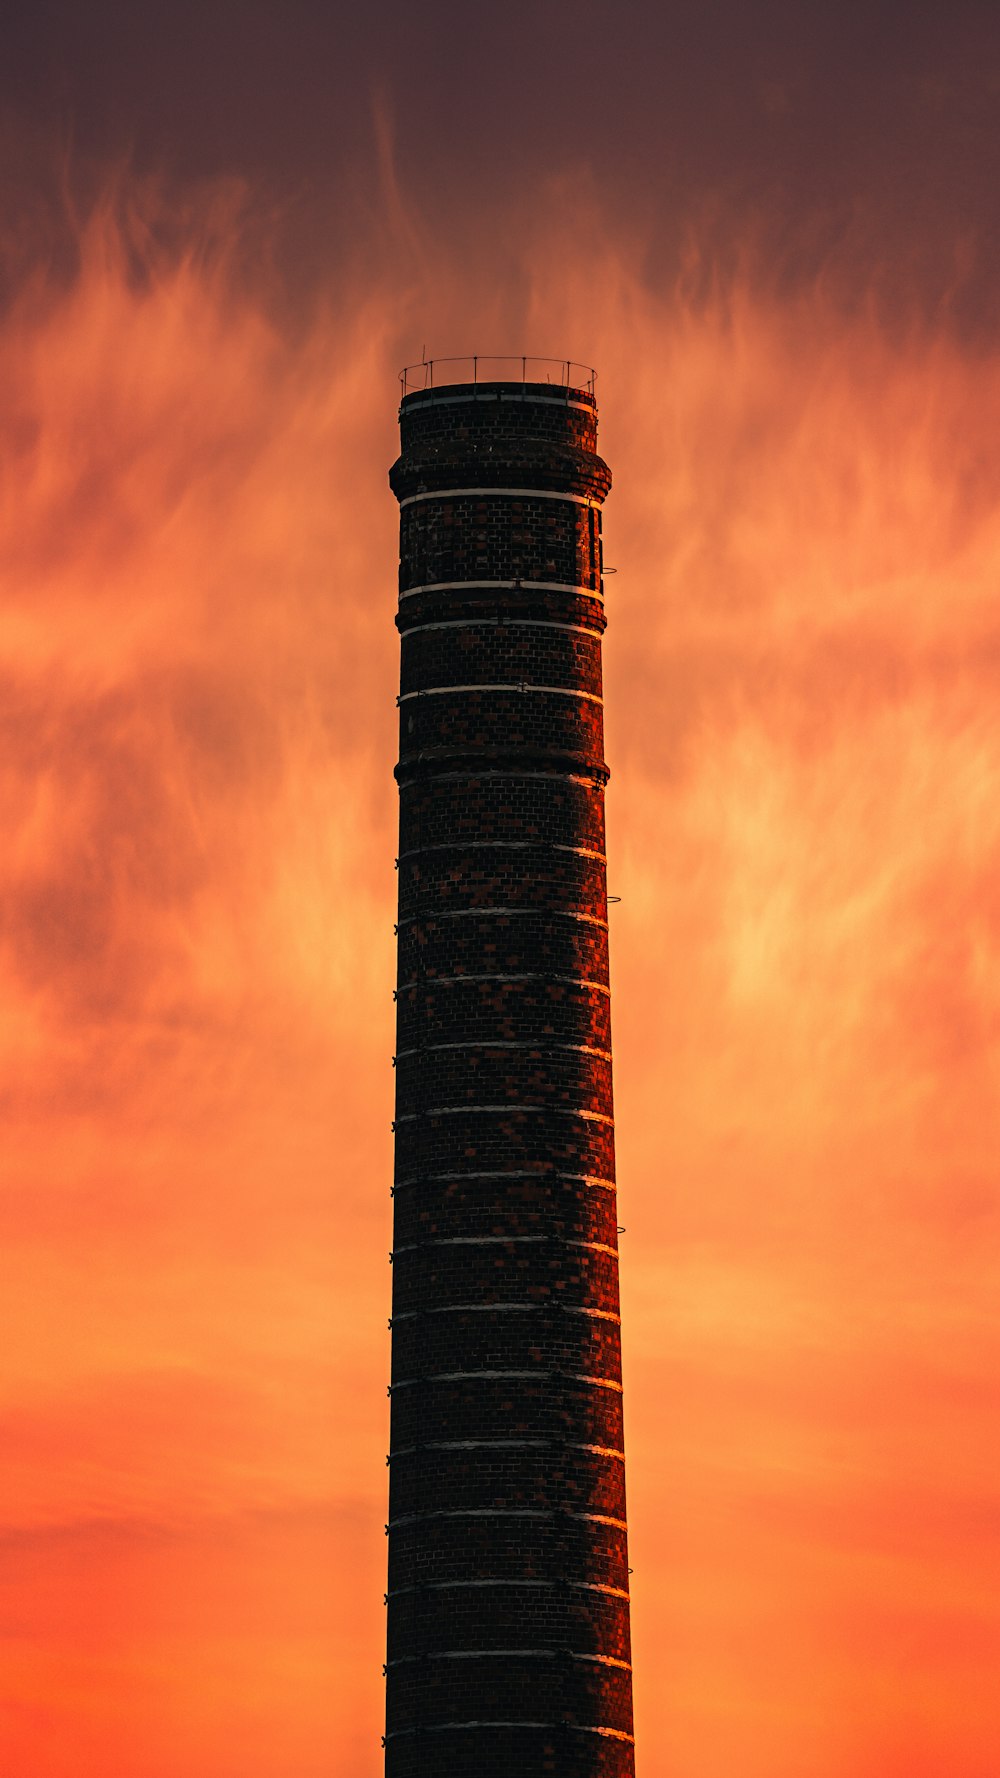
(853, 140)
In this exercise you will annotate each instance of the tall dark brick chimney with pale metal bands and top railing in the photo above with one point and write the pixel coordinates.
(508, 1592)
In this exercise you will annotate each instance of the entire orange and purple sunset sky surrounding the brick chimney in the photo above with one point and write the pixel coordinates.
(777, 234)
